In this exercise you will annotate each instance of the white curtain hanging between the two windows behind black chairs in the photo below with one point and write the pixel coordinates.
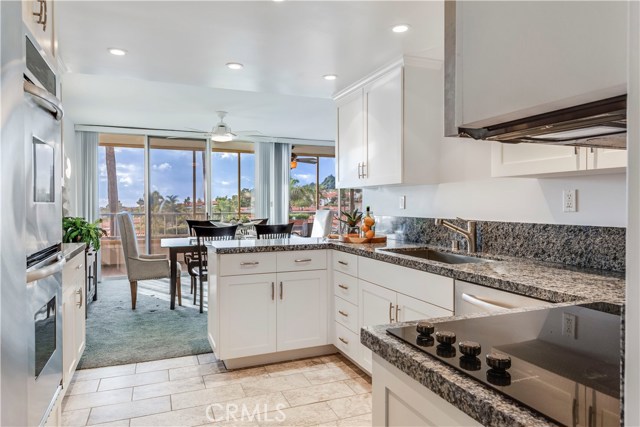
(272, 181)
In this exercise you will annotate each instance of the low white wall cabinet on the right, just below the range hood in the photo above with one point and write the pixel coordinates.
(540, 160)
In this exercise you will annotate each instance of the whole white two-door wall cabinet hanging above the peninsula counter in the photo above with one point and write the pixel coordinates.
(390, 126)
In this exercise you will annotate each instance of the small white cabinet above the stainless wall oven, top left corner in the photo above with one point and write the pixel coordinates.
(38, 17)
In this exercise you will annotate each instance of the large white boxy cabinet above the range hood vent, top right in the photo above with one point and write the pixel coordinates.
(509, 60)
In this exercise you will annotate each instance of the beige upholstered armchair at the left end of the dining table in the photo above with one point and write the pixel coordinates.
(140, 266)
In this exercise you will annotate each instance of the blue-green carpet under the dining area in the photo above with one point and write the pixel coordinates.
(117, 335)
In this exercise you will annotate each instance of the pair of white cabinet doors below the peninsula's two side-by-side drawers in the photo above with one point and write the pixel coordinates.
(266, 313)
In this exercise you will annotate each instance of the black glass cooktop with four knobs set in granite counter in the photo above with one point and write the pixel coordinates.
(570, 375)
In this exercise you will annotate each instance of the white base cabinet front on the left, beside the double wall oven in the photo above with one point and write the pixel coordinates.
(73, 316)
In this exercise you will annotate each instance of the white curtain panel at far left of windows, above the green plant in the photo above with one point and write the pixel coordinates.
(88, 183)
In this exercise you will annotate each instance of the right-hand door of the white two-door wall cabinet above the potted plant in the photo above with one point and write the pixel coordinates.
(383, 104)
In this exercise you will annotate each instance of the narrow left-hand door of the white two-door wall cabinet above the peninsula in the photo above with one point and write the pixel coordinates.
(350, 141)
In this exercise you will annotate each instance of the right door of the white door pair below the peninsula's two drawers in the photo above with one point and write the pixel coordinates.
(302, 309)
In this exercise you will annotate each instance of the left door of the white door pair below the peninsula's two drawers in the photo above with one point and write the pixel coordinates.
(248, 307)
